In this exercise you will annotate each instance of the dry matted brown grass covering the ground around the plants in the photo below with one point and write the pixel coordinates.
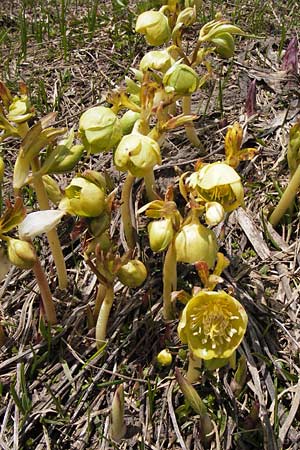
(55, 388)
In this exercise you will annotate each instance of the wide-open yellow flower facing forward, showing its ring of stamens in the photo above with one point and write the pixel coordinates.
(213, 325)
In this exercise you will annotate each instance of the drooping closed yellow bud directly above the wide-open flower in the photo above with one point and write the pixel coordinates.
(194, 242)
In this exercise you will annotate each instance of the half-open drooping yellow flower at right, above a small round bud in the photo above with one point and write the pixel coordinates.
(218, 182)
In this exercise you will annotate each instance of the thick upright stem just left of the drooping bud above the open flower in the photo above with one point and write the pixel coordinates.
(169, 281)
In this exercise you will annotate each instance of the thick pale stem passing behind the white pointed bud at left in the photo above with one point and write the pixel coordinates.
(52, 236)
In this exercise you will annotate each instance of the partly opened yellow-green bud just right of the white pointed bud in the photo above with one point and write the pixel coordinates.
(83, 198)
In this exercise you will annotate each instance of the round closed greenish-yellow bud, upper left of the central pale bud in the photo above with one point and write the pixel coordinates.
(100, 129)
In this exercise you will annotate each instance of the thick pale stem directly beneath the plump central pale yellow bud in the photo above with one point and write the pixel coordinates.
(129, 229)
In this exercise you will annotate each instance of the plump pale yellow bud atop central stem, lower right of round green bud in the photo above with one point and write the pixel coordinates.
(137, 154)
